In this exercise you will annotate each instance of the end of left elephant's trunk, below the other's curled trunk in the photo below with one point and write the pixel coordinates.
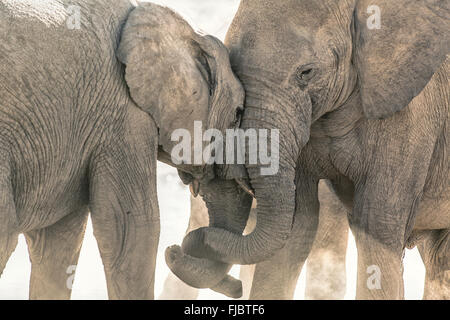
(202, 273)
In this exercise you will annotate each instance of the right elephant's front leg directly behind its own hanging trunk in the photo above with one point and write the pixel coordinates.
(276, 278)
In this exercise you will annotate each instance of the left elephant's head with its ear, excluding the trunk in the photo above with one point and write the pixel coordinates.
(178, 76)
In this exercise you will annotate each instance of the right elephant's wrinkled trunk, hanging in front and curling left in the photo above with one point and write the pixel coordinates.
(274, 191)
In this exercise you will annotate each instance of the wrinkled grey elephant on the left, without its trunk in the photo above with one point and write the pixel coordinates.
(83, 114)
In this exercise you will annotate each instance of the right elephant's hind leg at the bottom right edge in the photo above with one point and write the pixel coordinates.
(435, 252)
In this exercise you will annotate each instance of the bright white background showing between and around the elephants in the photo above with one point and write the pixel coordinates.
(213, 17)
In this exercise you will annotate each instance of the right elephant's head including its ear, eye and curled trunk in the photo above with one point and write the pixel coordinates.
(298, 61)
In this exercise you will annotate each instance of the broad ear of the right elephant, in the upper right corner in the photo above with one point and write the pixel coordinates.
(398, 46)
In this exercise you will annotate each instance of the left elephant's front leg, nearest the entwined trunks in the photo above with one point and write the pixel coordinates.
(125, 219)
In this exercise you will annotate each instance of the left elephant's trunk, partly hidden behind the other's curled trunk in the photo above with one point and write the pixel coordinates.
(228, 208)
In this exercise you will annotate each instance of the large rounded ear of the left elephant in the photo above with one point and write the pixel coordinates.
(169, 71)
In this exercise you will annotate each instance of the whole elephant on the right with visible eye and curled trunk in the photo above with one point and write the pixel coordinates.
(366, 109)
